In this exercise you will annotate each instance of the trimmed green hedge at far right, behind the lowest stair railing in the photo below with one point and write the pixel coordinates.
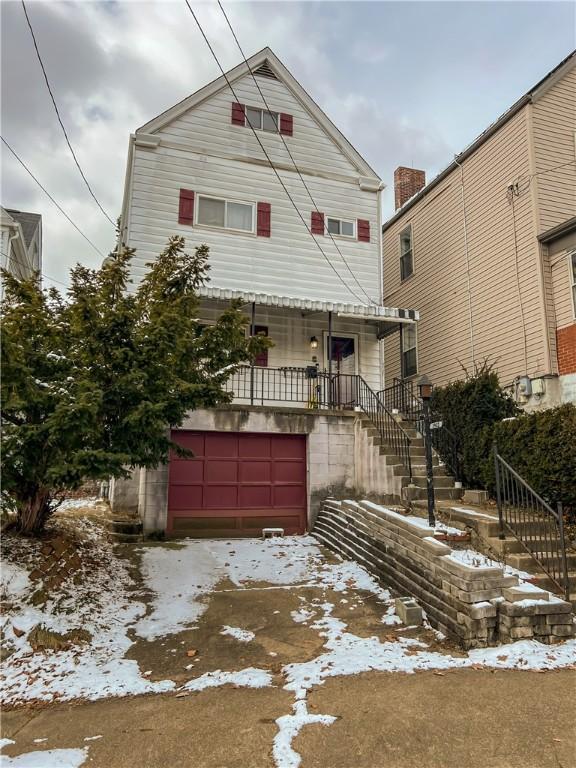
(541, 447)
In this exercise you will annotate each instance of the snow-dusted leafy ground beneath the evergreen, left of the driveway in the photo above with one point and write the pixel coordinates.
(100, 603)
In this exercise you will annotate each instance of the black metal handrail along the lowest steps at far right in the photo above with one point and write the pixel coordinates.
(536, 524)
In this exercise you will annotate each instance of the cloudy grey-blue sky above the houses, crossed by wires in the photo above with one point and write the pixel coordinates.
(409, 83)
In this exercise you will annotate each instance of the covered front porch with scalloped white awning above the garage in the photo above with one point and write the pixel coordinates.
(322, 353)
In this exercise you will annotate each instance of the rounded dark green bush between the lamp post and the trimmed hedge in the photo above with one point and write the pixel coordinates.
(466, 408)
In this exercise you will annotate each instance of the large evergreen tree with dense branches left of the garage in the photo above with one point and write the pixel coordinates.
(92, 384)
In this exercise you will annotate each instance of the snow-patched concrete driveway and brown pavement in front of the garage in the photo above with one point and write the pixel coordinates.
(278, 654)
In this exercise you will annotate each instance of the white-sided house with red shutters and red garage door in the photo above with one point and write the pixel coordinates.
(251, 166)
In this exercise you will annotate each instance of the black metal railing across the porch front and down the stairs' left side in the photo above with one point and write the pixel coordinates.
(310, 388)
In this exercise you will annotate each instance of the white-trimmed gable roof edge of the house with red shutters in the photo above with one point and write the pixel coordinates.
(271, 66)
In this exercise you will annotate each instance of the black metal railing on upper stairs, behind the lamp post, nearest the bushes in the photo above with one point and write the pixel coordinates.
(401, 396)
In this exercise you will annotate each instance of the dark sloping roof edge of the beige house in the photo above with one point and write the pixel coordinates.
(536, 92)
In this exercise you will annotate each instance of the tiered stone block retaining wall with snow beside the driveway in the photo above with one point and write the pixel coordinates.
(475, 603)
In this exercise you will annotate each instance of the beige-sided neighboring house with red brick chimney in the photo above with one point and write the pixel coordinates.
(486, 252)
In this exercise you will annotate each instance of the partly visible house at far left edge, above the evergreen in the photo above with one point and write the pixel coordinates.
(20, 242)
